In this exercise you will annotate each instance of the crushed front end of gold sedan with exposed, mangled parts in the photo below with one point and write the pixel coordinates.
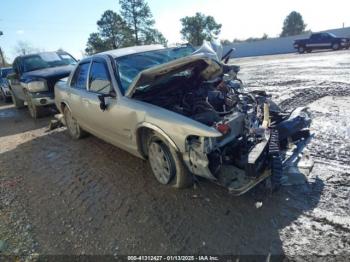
(248, 151)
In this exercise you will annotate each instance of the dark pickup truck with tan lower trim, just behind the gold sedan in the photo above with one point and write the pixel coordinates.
(34, 78)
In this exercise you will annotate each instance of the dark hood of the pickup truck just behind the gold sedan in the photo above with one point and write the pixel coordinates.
(48, 73)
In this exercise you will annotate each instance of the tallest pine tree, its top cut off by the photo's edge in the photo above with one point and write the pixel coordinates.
(139, 19)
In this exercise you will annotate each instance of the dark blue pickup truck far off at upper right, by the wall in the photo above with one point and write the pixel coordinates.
(321, 41)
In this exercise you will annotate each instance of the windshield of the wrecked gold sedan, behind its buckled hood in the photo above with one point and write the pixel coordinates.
(131, 65)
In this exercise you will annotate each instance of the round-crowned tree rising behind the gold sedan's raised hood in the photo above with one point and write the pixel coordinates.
(196, 29)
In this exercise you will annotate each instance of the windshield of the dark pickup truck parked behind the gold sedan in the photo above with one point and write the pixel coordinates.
(46, 60)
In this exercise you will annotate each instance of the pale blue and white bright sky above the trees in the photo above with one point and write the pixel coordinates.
(49, 25)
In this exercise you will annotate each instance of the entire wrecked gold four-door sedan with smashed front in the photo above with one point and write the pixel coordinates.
(185, 112)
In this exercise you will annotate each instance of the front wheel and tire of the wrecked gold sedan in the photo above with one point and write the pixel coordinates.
(166, 164)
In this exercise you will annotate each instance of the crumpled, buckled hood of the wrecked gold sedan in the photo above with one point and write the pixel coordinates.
(206, 67)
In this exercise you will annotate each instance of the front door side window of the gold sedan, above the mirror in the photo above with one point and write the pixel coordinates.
(99, 79)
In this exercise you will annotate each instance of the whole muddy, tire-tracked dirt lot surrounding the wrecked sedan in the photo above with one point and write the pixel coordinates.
(60, 196)
